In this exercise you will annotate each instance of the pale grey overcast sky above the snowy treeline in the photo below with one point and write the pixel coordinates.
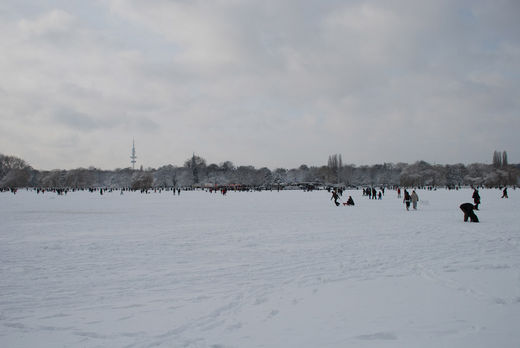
(266, 83)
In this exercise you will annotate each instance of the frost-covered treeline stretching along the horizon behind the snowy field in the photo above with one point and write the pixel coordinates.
(15, 172)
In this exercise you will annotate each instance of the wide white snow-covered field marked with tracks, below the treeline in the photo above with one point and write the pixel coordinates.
(263, 269)
